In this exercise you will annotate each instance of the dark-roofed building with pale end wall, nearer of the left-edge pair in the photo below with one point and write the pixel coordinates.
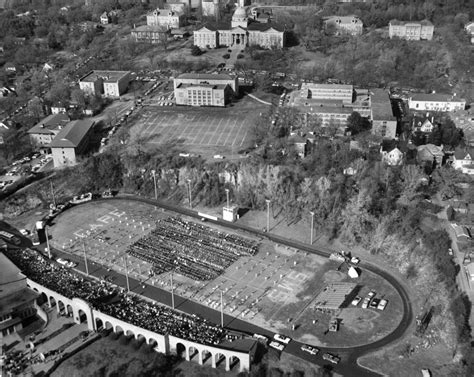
(70, 142)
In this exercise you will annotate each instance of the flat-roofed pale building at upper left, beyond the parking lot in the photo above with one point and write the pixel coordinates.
(105, 83)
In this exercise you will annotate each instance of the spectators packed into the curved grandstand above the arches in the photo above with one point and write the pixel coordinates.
(110, 300)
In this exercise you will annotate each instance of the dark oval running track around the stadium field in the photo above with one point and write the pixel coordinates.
(348, 365)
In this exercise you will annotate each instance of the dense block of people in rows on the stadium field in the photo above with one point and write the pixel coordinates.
(195, 250)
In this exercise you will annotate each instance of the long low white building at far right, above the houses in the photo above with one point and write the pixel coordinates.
(436, 102)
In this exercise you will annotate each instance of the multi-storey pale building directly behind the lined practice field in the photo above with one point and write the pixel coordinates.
(204, 89)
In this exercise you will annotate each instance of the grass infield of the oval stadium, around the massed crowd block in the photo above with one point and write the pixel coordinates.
(274, 289)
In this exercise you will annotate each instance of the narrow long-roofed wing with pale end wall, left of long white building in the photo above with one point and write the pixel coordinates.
(384, 123)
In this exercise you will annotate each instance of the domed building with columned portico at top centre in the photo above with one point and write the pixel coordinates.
(241, 32)
